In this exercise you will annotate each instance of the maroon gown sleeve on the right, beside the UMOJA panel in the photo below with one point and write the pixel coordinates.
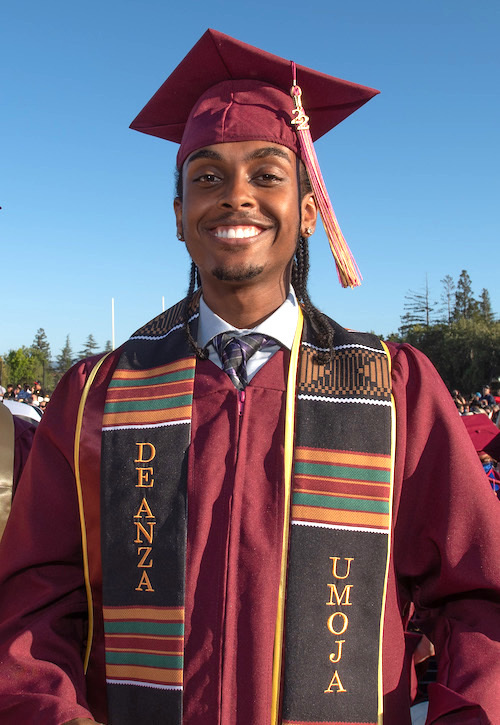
(446, 544)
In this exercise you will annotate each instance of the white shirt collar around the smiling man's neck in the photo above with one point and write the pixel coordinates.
(281, 325)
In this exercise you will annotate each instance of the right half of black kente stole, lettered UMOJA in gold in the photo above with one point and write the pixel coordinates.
(339, 546)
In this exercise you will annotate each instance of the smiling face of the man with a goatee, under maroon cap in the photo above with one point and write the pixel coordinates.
(241, 216)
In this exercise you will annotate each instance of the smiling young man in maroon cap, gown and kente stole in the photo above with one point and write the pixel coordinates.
(256, 516)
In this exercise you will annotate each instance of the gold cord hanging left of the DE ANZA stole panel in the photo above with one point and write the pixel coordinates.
(86, 574)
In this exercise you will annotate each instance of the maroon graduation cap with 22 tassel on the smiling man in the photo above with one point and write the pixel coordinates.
(225, 90)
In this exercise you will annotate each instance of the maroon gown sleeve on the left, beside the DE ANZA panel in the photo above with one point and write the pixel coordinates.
(43, 608)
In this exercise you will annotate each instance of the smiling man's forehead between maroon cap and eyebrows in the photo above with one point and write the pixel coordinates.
(243, 152)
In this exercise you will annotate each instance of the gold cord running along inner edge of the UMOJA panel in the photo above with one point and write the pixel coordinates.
(288, 460)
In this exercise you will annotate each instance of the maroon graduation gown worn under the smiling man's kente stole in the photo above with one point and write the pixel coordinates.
(444, 557)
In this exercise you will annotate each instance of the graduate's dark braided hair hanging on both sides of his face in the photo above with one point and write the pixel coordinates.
(300, 271)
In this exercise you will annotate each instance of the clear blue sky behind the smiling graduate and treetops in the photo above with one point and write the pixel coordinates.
(87, 203)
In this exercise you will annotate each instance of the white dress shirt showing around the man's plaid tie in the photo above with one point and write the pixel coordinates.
(281, 326)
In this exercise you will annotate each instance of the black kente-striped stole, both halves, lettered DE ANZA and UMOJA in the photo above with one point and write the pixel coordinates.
(339, 534)
